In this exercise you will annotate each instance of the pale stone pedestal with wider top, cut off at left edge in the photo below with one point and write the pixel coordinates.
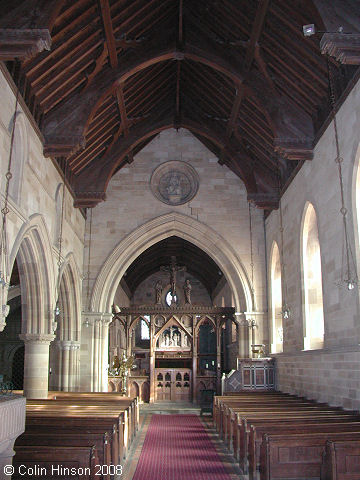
(12, 413)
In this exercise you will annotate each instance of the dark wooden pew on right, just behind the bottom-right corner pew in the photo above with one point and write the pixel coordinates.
(297, 456)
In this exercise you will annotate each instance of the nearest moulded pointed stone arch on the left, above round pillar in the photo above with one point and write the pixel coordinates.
(32, 248)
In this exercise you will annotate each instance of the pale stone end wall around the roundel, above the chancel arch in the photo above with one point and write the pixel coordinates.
(221, 204)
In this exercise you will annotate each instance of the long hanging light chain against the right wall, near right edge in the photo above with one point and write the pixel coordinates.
(349, 278)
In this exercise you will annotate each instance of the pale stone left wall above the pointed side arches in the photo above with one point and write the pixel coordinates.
(35, 185)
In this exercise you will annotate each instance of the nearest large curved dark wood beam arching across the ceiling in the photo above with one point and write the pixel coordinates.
(72, 115)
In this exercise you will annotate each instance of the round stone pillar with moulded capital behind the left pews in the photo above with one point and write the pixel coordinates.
(36, 369)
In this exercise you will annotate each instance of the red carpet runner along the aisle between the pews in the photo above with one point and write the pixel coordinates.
(177, 447)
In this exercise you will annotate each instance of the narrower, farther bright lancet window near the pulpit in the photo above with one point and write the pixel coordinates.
(276, 300)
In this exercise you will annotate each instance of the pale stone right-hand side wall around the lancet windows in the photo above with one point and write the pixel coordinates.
(331, 374)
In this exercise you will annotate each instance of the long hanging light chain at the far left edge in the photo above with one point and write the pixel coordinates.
(4, 260)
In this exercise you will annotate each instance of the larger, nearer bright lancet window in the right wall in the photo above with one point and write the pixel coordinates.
(313, 312)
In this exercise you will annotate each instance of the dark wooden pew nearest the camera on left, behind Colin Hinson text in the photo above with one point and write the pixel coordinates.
(43, 462)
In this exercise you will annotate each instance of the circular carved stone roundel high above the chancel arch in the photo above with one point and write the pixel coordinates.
(174, 182)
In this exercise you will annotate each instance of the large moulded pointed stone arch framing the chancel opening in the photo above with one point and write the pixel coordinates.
(156, 230)
